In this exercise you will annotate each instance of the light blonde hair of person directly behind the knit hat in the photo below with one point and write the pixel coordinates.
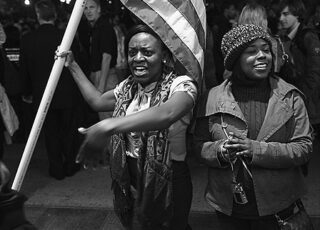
(254, 14)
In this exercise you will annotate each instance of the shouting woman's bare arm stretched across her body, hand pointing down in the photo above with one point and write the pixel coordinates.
(154, 118)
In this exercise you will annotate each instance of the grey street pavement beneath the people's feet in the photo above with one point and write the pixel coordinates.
(84, 201)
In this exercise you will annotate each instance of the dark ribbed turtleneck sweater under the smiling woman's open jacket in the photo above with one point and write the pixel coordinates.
(252, 98)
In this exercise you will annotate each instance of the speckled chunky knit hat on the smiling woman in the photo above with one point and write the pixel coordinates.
(237, 39)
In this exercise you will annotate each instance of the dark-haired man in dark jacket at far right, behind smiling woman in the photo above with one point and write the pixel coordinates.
(302, 44)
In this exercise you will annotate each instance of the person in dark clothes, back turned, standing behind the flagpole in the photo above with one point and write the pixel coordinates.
(37, 53)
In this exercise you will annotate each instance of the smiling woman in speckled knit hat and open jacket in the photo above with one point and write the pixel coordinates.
(254, 134)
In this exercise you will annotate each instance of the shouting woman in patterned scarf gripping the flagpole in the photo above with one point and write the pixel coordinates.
(152, 110)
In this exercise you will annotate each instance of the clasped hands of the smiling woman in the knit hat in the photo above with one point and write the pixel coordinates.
(236, 146)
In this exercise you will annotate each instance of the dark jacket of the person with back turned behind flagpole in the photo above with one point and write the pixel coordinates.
(37, 53)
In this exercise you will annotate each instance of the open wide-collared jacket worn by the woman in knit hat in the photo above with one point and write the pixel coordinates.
(283, 144)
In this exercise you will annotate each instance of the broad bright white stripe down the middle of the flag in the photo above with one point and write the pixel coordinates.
(180, 25)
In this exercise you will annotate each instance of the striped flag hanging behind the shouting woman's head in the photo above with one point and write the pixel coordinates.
(181, 24)
